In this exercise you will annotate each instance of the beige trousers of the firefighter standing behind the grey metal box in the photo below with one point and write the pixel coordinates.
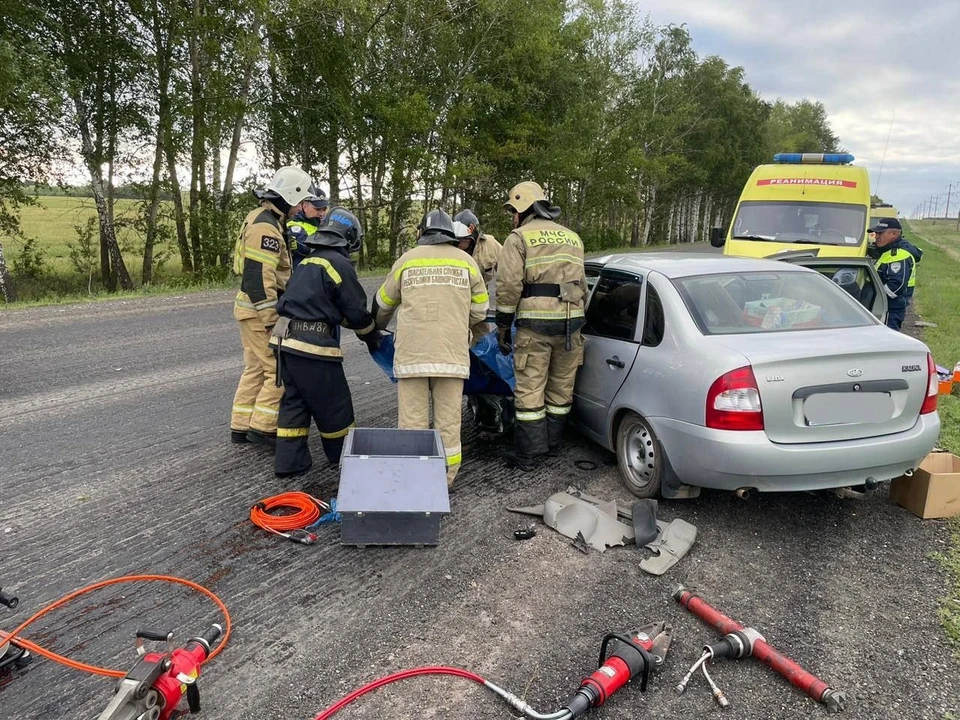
(414, 396)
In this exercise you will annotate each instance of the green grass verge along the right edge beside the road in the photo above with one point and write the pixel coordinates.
(938, 301)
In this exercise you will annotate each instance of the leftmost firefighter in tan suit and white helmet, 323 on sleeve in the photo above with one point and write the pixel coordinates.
(262, 259)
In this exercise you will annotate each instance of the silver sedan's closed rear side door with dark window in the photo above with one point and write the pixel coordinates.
(610, 347)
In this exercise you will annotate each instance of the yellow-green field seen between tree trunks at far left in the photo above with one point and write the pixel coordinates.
(52, 222)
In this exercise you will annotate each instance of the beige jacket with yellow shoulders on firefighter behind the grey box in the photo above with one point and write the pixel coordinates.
(438, 294)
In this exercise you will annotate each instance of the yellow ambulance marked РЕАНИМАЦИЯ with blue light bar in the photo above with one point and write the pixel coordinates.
(803, 201)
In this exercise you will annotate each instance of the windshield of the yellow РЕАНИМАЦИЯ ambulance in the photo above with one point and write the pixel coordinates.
(804, 223)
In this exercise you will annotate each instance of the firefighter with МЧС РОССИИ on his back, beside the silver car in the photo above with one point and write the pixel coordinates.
(541, 286)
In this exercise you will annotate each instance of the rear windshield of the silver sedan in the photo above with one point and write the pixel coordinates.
(753, 302)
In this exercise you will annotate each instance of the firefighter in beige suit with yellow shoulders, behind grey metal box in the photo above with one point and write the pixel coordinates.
(438, 294)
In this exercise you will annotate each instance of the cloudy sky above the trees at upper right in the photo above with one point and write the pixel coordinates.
(866, 61)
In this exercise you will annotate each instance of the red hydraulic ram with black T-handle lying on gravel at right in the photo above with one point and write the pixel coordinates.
(740, 642)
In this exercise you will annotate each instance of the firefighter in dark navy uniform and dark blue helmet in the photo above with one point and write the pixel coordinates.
(323, 294)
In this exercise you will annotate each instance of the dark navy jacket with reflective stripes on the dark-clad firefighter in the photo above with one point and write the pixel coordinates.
(323, 294)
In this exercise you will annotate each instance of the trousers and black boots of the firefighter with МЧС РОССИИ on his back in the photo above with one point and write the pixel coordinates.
(545, 372)
